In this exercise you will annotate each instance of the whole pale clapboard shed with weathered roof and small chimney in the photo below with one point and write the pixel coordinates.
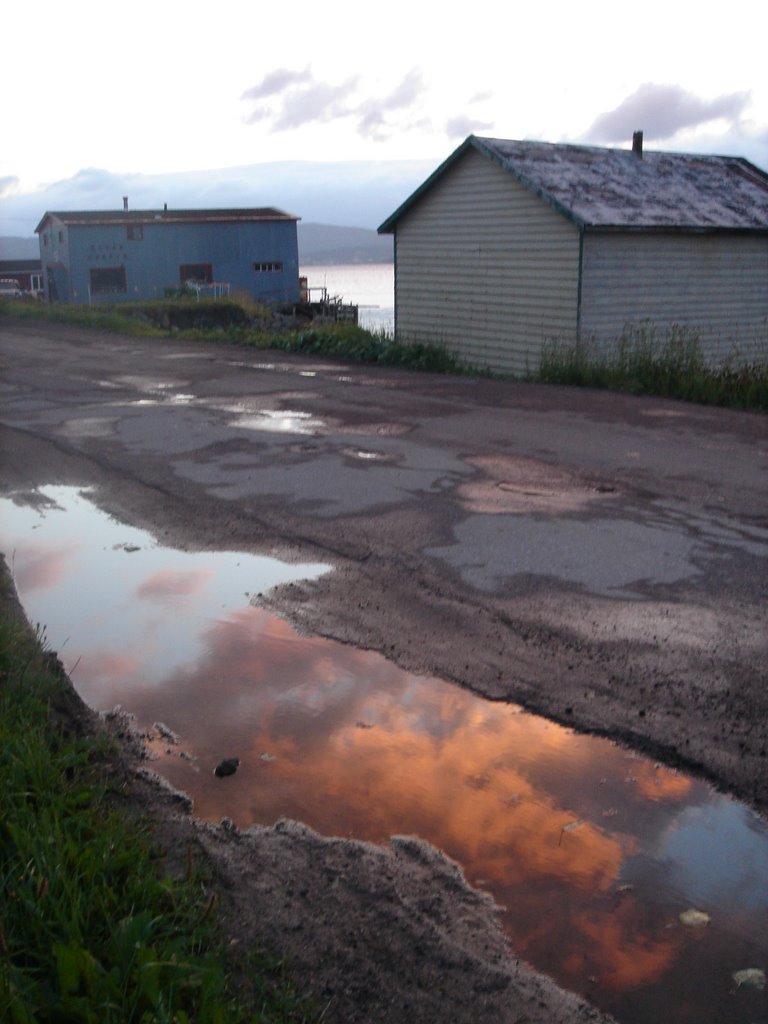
(509, 246)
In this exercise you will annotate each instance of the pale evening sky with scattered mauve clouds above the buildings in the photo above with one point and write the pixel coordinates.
(151, 95)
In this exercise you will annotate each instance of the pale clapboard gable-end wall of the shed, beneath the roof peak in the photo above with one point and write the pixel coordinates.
(487, 269)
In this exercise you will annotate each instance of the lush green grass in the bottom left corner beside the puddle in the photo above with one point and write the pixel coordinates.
(92, 928)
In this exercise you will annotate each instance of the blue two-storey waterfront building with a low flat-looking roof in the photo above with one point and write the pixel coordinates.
(125, 255)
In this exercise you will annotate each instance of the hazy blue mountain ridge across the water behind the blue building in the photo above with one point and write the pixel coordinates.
(318, 244)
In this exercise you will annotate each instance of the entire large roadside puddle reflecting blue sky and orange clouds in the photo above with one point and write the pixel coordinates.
(593, 852)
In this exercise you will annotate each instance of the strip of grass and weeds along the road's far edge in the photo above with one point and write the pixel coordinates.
(643, 362)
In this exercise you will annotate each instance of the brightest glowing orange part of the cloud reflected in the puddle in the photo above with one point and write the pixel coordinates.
(455, 790)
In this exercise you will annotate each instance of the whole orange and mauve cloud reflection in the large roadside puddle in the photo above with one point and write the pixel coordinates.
(345, 741)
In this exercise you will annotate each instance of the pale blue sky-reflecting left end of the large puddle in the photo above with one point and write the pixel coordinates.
(97, 582)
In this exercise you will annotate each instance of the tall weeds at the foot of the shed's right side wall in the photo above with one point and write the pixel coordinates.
(670, 365)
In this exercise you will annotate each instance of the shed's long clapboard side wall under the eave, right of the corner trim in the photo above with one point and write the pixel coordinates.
(715, 285)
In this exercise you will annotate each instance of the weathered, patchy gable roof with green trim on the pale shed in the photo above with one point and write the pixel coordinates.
(600, 188)
